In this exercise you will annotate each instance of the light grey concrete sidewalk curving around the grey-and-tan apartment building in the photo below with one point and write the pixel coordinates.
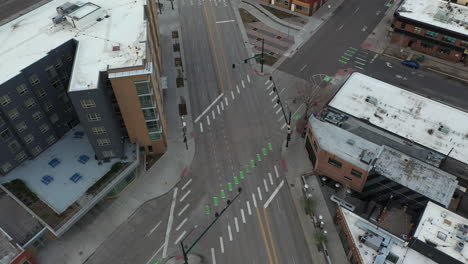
(91, 231)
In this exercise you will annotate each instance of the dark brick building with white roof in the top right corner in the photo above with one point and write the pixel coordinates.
(434, 27)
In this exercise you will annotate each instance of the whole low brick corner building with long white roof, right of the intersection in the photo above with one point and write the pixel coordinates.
(382, 141)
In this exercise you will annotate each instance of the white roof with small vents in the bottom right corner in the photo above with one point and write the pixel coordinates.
(437, 221)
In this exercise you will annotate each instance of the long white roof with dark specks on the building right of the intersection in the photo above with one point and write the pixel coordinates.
(411, 116)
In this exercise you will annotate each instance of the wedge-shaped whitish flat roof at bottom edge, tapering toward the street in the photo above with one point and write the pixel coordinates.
(394, 246)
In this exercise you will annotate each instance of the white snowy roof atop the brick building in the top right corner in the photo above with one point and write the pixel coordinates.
(449, 16)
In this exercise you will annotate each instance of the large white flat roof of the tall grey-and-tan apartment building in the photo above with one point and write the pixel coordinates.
(30, 37)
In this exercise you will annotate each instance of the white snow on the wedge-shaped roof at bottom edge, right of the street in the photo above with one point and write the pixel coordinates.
(405, 255)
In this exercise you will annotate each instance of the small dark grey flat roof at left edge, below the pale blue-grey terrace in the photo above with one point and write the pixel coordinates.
(18, 222)
